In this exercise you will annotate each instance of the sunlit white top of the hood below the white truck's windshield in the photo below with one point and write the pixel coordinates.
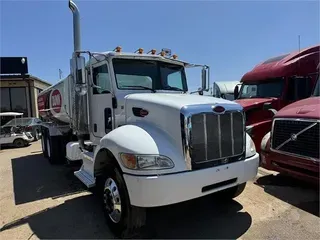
(176, 100)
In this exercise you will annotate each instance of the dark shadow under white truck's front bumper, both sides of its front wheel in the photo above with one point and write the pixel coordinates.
(82, 218)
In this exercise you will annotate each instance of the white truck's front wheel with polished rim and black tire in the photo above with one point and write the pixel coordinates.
(124, 220)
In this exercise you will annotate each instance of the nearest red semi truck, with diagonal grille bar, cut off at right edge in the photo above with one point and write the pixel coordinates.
(293, 146)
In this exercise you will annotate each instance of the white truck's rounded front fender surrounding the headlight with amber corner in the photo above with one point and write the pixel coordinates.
(143, 138)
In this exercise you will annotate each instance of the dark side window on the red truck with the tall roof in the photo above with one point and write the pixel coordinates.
(299, 88)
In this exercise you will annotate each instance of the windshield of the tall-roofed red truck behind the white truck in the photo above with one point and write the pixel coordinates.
(264, 89)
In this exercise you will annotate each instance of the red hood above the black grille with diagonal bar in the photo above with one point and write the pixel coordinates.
(306, 108)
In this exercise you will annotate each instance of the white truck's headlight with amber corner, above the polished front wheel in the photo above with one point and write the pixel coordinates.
(146, 162)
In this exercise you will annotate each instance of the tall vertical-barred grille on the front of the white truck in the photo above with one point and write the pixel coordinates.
(216, 136)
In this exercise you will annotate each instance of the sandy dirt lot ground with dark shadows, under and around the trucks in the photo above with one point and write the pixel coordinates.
(38, 200)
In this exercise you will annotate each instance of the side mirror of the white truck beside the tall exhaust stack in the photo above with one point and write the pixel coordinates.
(78, 71)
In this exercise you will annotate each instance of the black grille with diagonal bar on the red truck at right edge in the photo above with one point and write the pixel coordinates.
(297, 137)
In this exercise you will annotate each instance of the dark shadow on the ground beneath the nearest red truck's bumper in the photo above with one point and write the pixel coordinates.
(295, 192)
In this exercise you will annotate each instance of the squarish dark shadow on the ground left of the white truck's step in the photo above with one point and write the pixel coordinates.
(34, 179)
